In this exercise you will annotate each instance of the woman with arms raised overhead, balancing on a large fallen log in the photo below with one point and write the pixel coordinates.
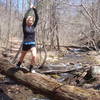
(29, 24)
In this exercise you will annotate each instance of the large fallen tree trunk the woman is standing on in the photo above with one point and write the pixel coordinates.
(46, 85)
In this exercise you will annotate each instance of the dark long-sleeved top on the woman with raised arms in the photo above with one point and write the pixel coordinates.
(28, 31)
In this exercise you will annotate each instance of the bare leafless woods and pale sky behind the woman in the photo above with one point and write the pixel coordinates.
(62, 22)
